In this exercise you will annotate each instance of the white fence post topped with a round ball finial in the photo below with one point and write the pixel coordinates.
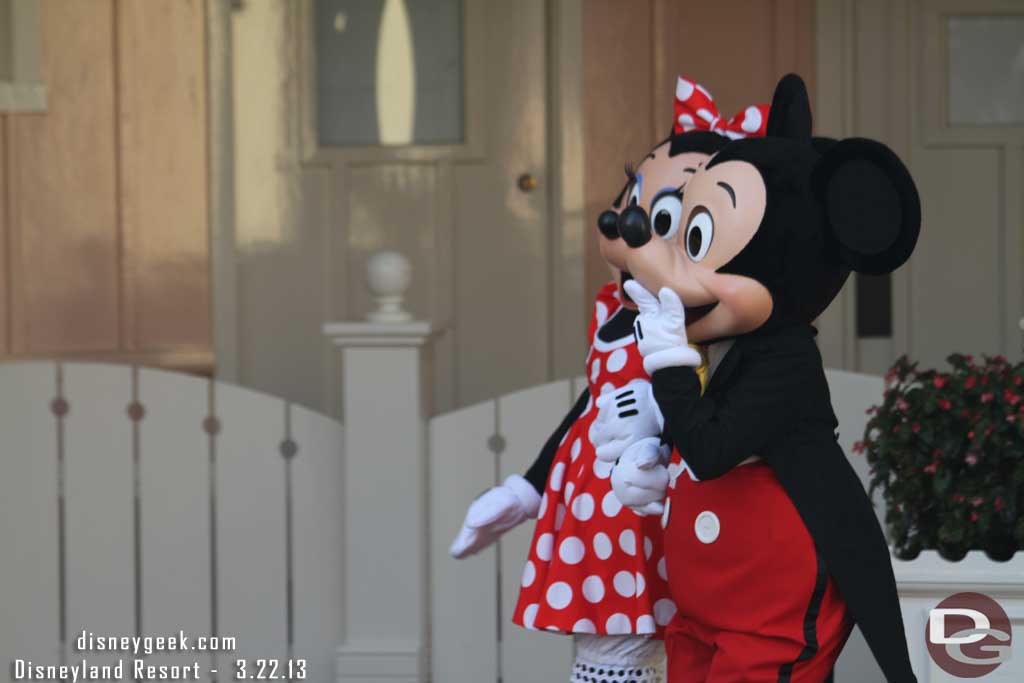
(385, 487)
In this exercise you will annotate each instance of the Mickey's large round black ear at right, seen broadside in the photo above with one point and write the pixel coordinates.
(872, 206)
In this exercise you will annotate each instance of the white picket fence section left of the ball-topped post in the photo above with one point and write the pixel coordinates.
(146, 502)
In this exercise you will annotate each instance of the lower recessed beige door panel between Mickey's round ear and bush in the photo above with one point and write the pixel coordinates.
(951, 312)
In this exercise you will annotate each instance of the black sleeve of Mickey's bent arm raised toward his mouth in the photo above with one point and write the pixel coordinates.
(716, 434)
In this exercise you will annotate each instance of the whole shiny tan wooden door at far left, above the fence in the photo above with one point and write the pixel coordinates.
(105, 194)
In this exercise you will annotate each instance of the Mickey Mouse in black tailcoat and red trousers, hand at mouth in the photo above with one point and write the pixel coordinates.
(773, 547)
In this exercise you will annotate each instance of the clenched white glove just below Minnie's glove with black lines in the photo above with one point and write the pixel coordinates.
(641, 480)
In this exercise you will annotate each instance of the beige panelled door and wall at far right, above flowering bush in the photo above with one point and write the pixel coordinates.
(936, 81)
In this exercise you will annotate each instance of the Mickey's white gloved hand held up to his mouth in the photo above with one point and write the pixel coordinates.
(661, 329)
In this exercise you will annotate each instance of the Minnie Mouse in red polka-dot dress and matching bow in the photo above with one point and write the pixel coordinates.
(596, 570)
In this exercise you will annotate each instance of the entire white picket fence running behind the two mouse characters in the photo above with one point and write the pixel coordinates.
(145, 502)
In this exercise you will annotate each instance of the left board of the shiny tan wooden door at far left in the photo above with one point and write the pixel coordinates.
(64, 196)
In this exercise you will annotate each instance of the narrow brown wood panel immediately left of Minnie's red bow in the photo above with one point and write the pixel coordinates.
(618, 99)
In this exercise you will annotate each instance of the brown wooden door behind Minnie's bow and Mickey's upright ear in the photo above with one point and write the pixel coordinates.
(633, 53)
